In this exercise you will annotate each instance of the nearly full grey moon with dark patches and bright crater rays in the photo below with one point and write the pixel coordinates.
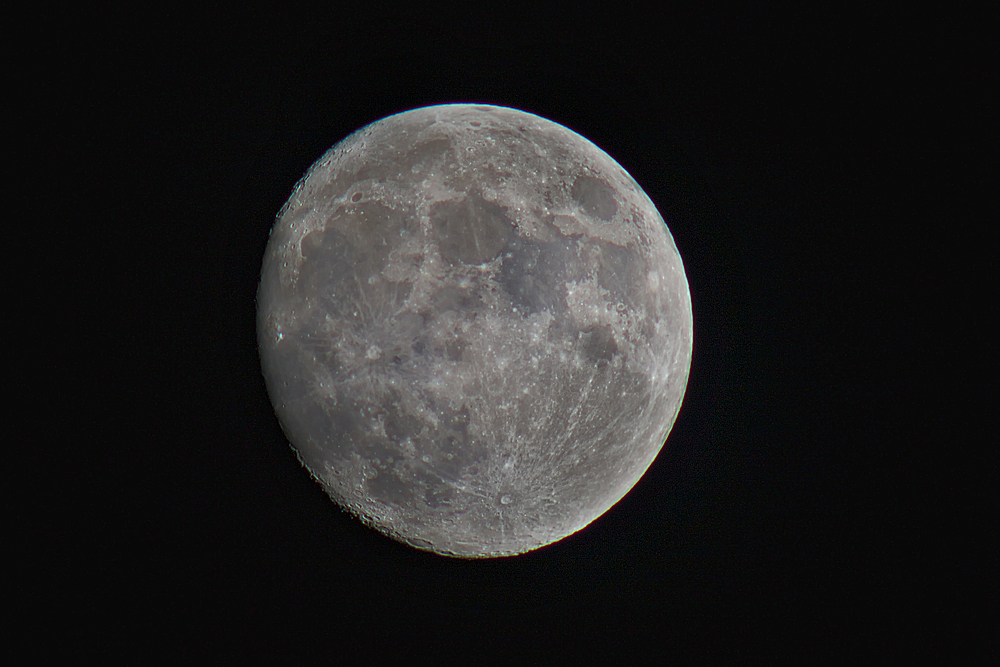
(475, 328)
